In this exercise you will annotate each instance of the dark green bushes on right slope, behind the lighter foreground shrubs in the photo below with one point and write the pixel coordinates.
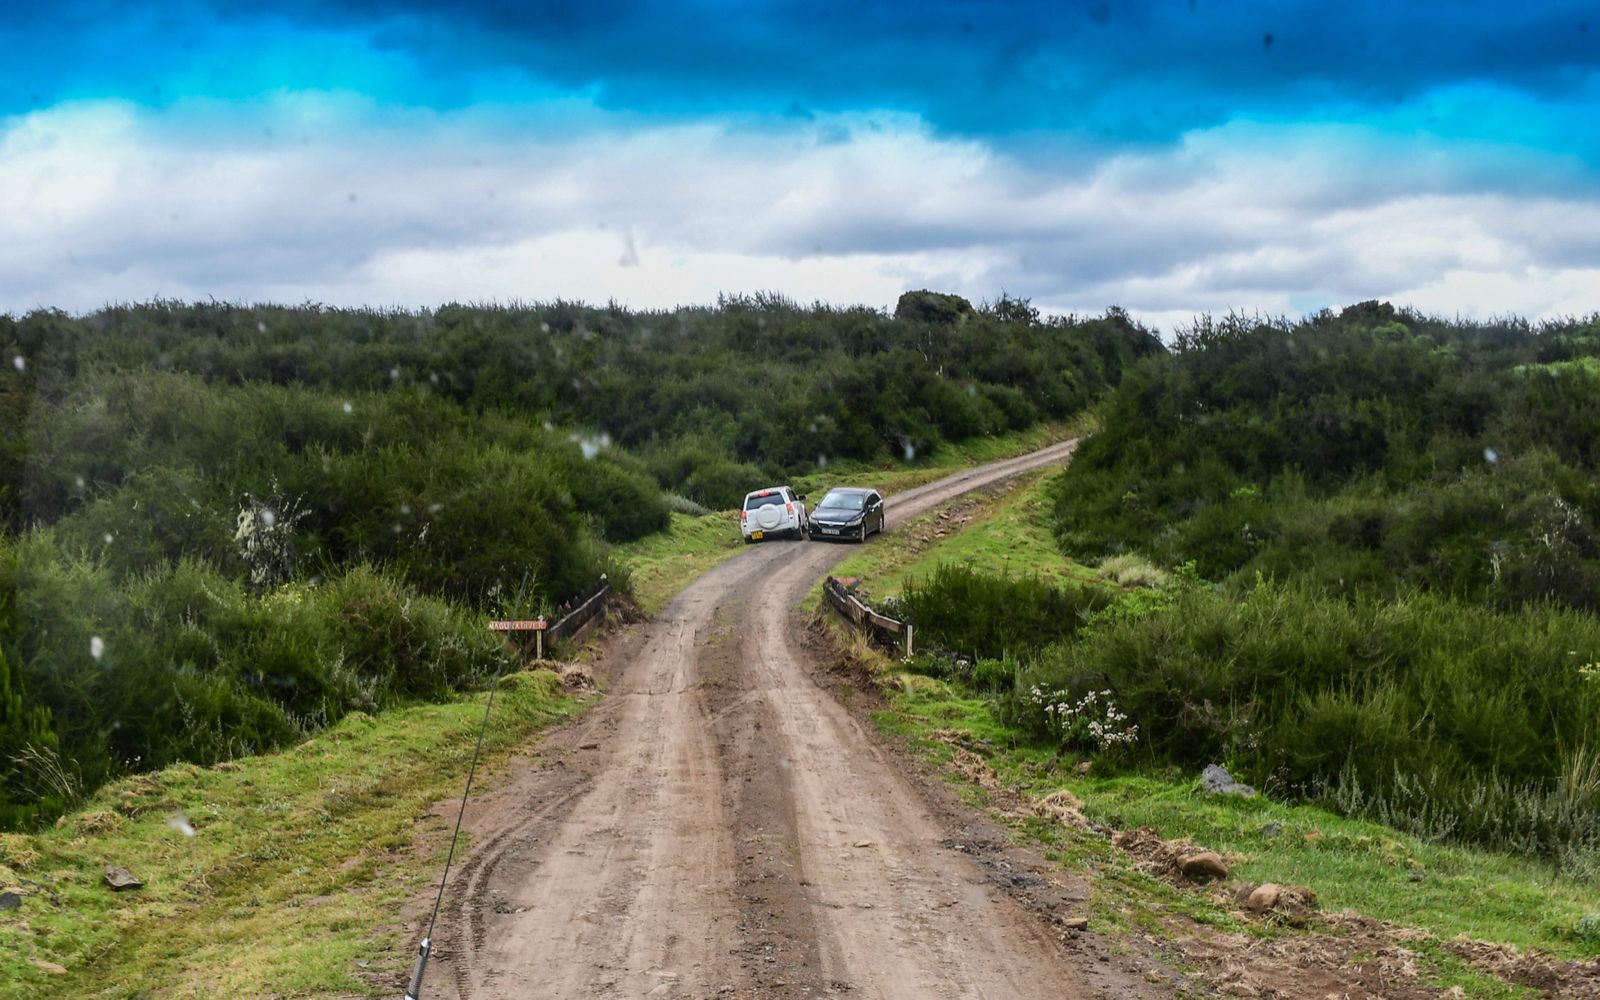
(1372, 450)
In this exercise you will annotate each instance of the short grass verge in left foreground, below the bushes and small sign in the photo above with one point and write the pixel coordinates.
(278, 876)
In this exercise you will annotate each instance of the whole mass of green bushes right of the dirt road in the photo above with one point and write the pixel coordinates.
(1399, 518)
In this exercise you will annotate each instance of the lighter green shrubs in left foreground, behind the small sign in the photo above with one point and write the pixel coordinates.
(188, 665)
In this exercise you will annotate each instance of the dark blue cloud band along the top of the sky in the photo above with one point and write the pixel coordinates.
(1100, 71)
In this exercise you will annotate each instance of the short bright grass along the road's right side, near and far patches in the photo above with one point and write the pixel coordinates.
(1351, 865)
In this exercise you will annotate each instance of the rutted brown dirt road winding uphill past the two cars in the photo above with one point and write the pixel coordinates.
(721, 826)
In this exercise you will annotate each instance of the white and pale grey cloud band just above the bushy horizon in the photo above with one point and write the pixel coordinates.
(335, 201)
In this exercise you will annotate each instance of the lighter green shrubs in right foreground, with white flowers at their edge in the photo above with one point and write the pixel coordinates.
(1422, 711)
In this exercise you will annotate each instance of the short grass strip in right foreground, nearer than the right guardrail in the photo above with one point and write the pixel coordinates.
(1348, 863)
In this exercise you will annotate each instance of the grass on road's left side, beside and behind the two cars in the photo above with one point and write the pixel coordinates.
(660, 566)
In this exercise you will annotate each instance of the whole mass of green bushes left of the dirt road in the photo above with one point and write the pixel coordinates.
(223, 529)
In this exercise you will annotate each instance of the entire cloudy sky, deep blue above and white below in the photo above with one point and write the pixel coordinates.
(1169, 158)
